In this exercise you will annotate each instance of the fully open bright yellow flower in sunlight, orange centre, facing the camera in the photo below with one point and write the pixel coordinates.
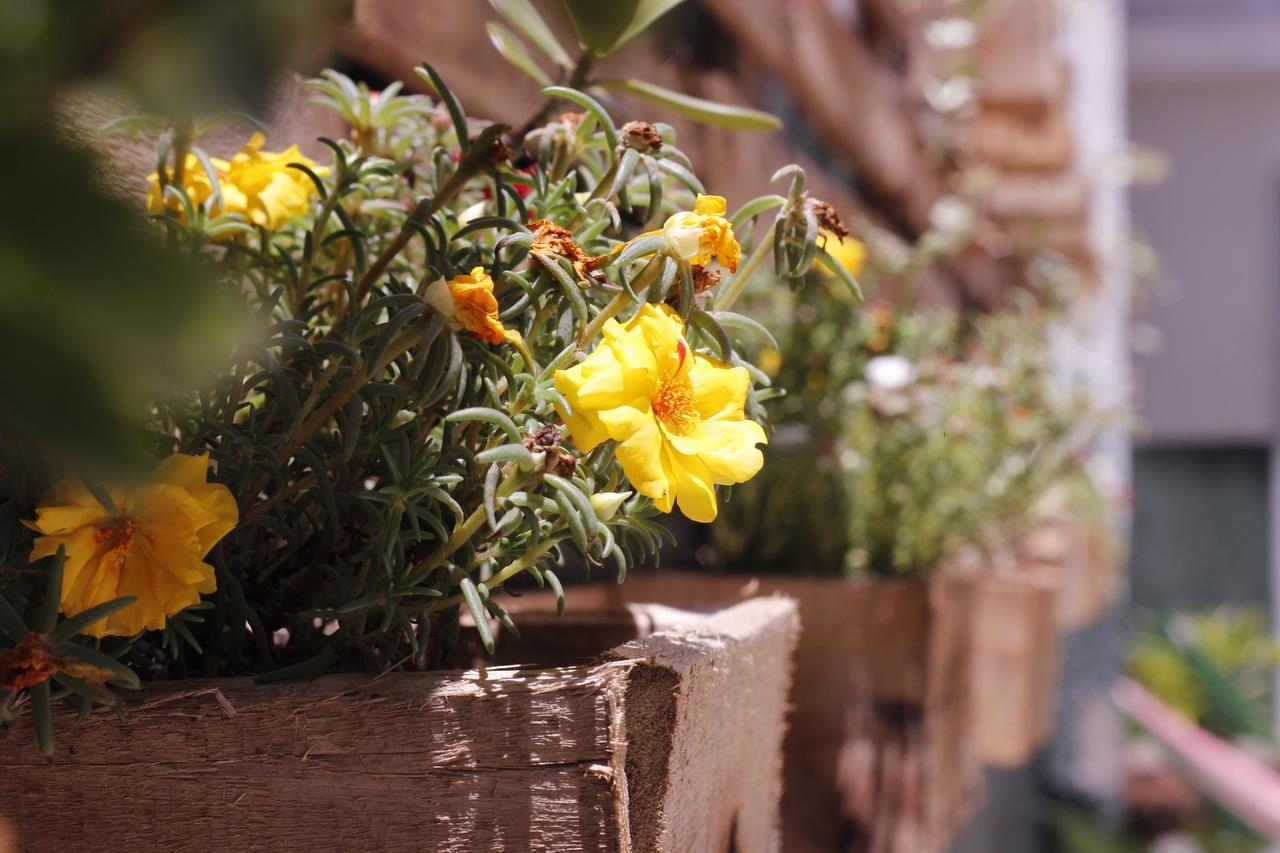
(678, 416)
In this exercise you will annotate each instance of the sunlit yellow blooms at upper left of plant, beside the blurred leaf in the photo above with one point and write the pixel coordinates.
(258, 185)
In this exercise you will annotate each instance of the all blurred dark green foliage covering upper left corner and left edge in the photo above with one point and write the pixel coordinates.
(95, 317)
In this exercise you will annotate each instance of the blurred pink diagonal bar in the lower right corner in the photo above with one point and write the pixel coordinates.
(1232, 778)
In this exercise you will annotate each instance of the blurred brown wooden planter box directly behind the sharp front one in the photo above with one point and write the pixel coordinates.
(880, 754)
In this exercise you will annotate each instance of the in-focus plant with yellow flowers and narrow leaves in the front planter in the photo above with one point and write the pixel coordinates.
(469, 355)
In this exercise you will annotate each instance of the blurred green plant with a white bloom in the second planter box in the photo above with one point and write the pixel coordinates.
(908, 434)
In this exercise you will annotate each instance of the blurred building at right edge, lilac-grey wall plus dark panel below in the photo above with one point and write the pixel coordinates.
(1205, 89)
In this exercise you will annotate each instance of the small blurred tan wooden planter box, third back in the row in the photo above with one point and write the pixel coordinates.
(1017, 664)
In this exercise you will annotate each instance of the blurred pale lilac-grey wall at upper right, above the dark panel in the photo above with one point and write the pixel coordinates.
(1209, 94)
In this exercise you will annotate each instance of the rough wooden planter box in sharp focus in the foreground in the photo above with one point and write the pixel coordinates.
(671, 742)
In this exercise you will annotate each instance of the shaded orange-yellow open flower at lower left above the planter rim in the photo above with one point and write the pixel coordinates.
(153, 550)
